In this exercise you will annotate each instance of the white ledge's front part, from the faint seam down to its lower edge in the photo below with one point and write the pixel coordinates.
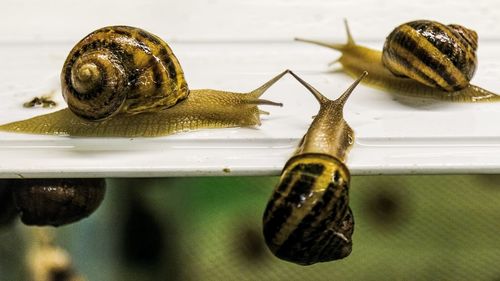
(394, 135)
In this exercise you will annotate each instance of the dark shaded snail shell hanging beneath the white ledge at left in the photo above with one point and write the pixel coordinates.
(57, 201)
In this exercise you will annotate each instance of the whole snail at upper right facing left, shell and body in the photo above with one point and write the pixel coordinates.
(420, 58)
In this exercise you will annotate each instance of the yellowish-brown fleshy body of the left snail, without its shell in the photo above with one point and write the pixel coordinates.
(202, 109)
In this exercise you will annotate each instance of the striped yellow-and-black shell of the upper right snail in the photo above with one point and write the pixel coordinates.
(437, 55)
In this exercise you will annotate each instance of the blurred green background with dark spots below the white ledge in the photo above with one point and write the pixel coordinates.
(209, 228)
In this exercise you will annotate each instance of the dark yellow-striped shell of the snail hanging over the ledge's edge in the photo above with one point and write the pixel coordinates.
(308, 220)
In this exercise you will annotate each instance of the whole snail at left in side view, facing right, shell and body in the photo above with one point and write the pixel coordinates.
(124, 81)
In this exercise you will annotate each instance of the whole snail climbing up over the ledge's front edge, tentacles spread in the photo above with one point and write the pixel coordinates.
(307, 219)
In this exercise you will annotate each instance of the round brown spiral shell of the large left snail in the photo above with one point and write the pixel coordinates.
(121, 69)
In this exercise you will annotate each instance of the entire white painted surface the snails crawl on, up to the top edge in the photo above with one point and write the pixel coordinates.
(394, 135)
